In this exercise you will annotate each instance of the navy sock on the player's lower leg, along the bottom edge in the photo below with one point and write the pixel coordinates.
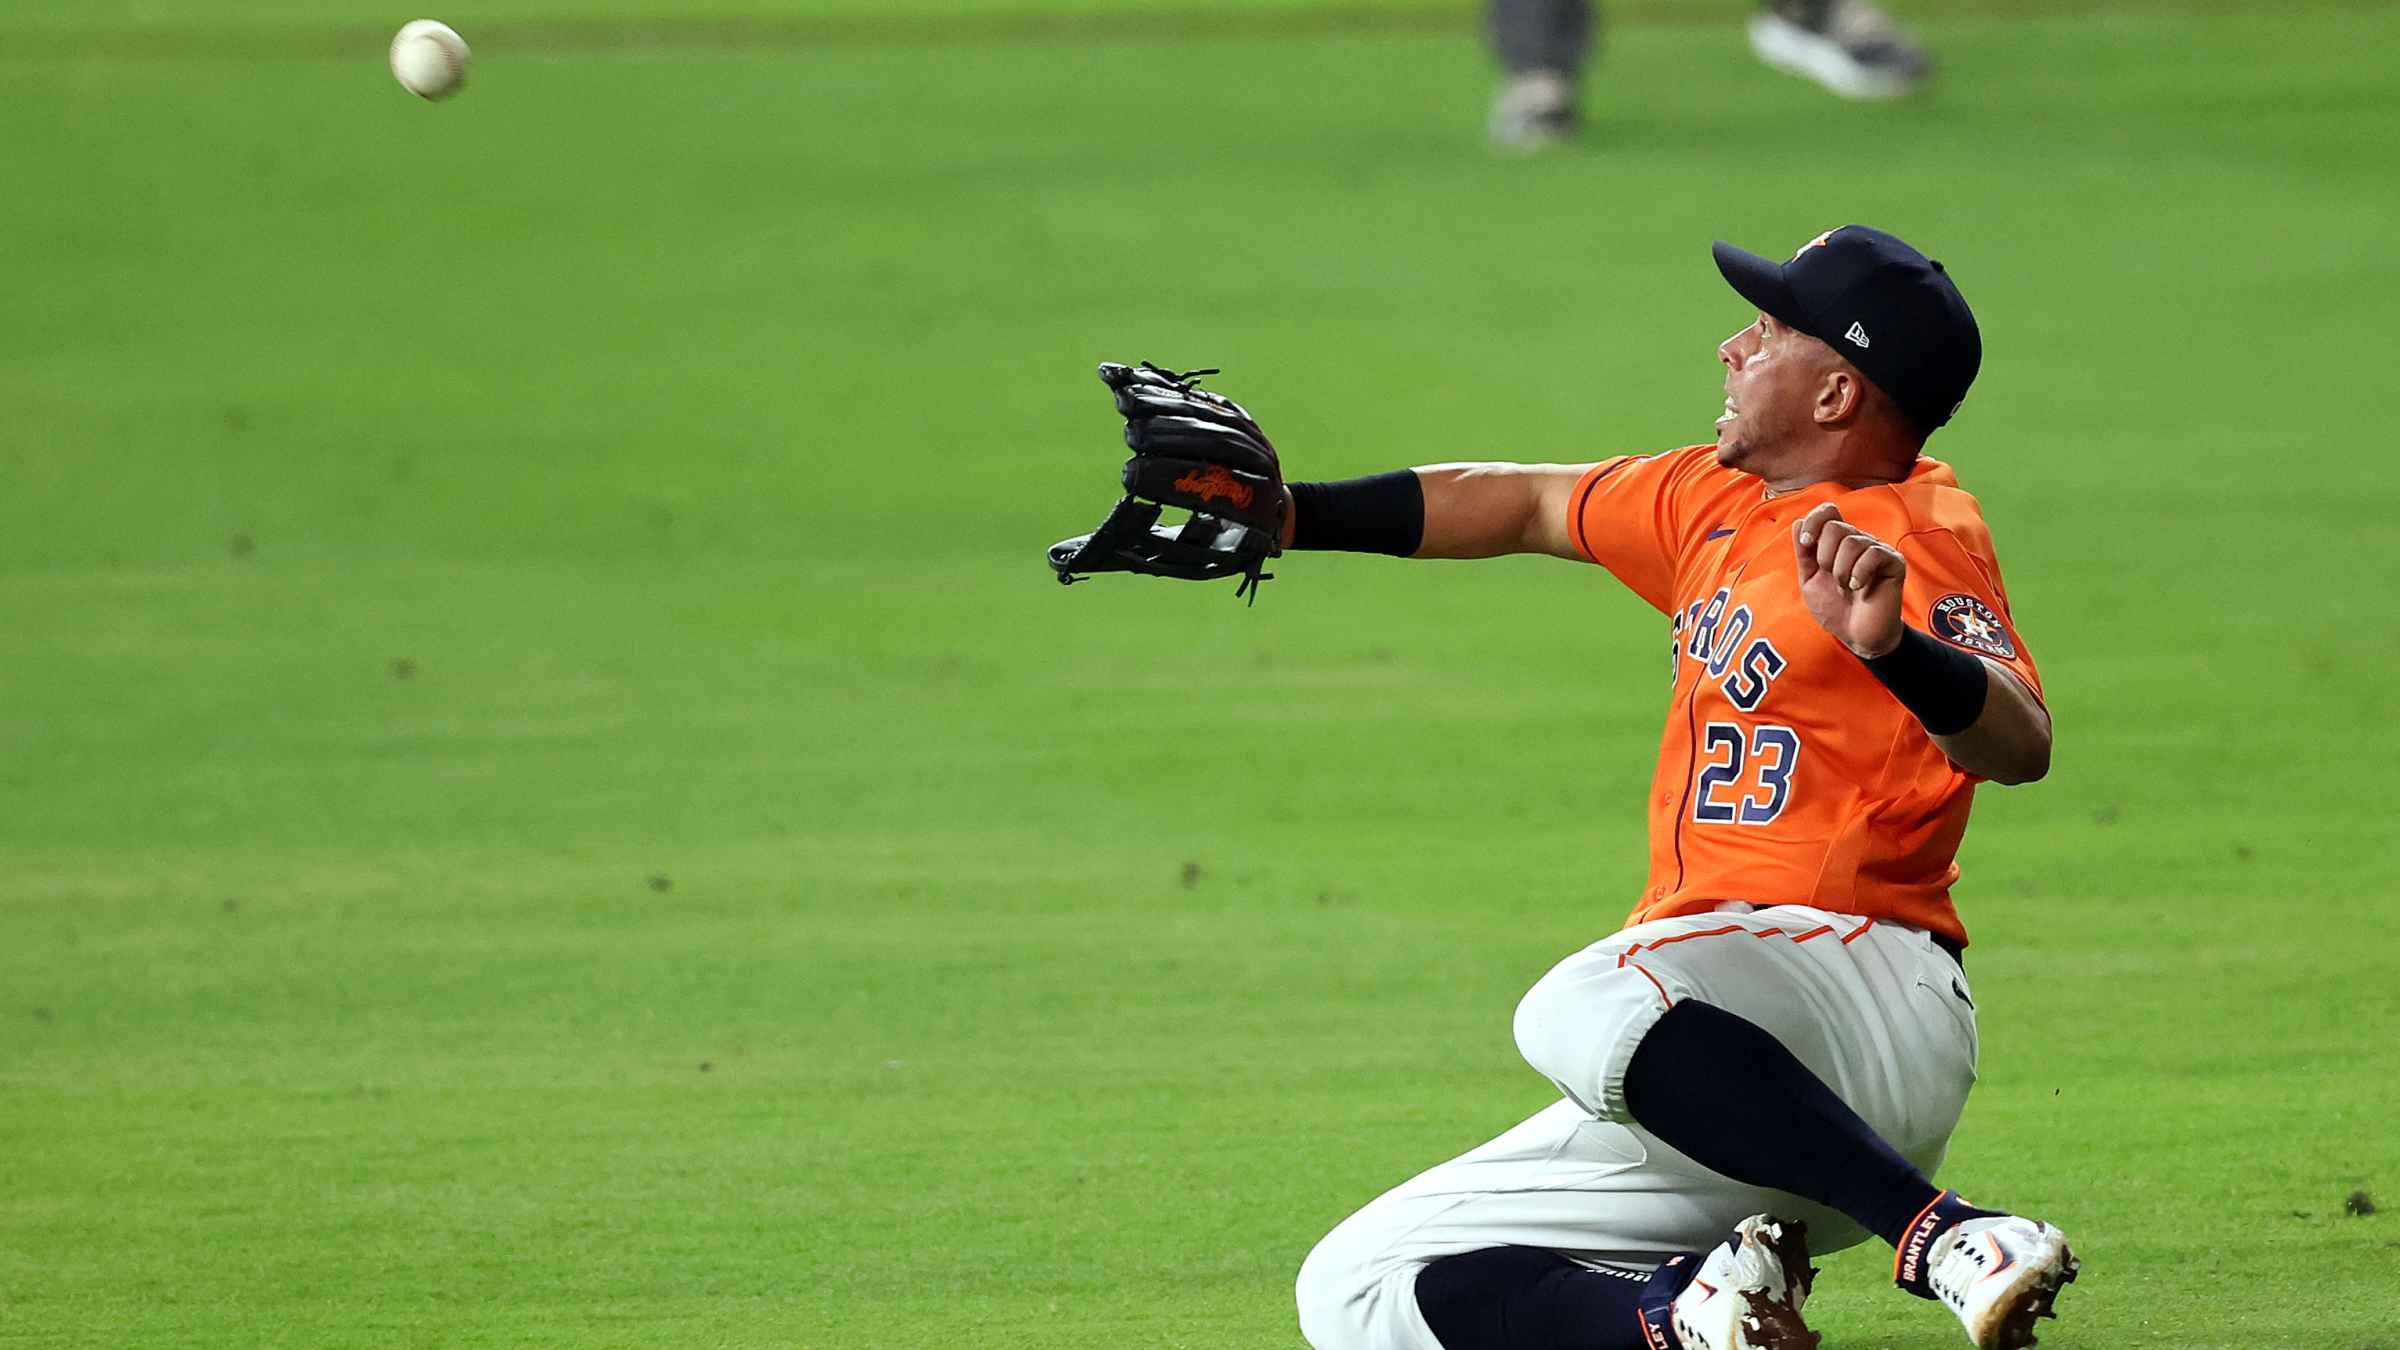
(1525, 1298)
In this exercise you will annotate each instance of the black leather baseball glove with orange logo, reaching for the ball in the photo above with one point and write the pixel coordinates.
(1194, 450)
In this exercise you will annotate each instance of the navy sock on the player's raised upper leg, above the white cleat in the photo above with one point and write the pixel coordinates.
(1736, 1101)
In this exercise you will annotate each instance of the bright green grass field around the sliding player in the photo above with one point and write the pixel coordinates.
(548, 799)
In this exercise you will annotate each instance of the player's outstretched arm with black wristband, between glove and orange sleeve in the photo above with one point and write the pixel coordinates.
(1441, 510)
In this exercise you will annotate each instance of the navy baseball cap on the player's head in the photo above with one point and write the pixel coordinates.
(1873, 299)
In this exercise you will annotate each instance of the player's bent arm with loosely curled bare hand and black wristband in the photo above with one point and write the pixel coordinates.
(1974, 710)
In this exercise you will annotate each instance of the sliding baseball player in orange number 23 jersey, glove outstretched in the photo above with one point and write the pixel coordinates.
(1777, 1046)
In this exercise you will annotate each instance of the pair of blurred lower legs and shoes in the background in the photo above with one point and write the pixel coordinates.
(1849, 47)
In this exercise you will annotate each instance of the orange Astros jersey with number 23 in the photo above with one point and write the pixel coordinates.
(1789, 775)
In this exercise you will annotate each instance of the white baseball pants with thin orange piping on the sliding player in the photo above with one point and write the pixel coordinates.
(1873, 1008)
